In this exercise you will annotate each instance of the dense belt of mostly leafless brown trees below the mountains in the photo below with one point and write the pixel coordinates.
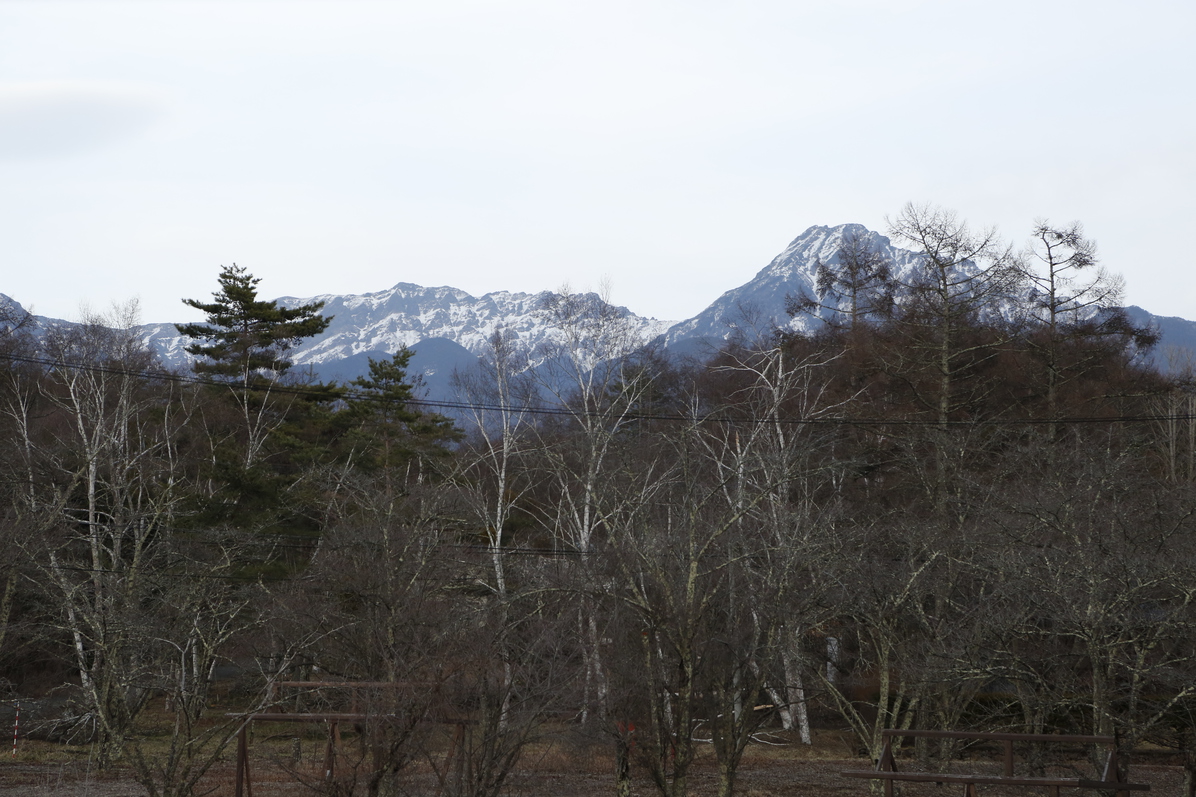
(965, 503)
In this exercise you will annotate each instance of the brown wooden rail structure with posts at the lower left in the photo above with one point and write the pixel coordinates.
(245, 787)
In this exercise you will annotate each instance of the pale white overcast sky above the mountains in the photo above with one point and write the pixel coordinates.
(673, 148)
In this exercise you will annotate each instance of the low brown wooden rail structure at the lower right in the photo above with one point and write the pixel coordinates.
(1113, 778)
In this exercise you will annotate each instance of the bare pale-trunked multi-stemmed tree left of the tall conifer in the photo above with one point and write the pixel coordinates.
(115, 496)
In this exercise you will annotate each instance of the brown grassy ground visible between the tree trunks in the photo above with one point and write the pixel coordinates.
(552, 770)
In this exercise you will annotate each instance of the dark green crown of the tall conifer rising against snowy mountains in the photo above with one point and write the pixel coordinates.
(246, 339)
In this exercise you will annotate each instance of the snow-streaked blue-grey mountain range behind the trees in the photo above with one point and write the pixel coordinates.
(449, 328)
